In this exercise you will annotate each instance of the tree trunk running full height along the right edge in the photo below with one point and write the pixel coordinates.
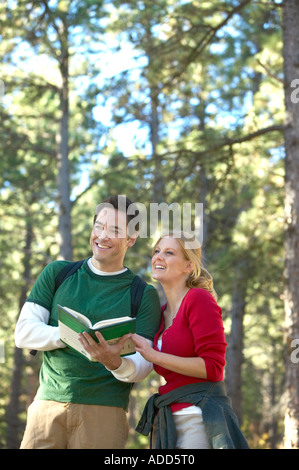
(291, 297)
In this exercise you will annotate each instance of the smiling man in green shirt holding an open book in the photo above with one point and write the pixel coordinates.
(83, 404)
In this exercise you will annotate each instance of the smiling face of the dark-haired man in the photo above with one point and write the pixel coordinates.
(109, 240)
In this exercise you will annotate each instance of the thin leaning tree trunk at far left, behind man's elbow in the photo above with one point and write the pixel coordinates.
(12, 410)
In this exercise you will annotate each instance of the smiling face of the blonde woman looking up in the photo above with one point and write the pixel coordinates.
(168, 262)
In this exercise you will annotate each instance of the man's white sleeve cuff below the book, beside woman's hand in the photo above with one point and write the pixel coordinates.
(133, 368)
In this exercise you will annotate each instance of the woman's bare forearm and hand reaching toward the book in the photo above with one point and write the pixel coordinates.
(191, 366)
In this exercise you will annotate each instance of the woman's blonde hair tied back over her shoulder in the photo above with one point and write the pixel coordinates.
(199, 276)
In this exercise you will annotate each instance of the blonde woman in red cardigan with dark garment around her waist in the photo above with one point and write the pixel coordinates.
(189, 352)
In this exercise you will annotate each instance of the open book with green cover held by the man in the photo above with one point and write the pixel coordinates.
(71, 323)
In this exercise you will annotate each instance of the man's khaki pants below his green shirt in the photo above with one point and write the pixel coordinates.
(55, 425)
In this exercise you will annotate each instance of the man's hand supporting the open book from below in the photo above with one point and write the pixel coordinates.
(106, 354)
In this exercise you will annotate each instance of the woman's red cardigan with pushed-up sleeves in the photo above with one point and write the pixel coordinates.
(196, 331)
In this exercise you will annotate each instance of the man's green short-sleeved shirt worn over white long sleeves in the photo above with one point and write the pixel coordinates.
(65, 375)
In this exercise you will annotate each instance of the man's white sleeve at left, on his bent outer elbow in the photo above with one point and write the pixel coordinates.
(33, 332)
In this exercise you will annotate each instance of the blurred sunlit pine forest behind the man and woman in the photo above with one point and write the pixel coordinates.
(166, 101)
